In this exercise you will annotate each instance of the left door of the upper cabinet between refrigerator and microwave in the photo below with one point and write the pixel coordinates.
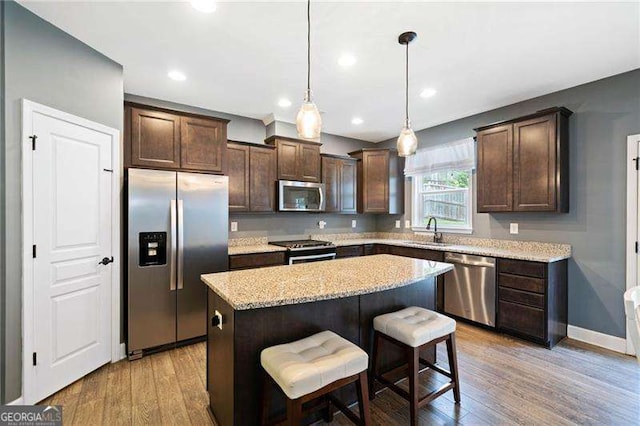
(238, 159)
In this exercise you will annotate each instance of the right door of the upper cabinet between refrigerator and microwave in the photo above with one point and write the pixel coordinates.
(262, 179)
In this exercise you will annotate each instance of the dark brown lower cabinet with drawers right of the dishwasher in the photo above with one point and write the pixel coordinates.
(532, 300)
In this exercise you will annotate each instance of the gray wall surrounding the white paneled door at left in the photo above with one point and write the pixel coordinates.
(45, 65)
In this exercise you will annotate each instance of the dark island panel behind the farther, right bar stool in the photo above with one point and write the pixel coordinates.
(422, 294)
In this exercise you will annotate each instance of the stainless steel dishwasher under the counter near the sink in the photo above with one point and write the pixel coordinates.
(470, 289)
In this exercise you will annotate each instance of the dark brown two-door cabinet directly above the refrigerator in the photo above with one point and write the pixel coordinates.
(163, 139)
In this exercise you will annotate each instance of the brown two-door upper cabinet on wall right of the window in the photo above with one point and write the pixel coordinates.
(523, 164)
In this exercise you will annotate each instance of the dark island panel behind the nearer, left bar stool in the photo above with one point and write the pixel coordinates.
(257, 329)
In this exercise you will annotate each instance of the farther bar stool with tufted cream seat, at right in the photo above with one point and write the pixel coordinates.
(413, 329)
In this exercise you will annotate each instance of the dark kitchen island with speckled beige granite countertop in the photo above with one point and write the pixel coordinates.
(253, 309)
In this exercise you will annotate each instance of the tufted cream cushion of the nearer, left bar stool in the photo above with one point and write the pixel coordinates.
(304, 366)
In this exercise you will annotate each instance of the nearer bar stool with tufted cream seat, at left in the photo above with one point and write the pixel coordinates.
(314, 367)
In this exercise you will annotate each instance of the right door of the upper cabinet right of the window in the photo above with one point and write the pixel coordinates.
(534, 164)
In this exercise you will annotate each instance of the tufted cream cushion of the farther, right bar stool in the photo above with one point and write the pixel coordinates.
(414, 326)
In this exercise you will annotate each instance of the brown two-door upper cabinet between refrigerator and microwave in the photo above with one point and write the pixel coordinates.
(252, 176)
